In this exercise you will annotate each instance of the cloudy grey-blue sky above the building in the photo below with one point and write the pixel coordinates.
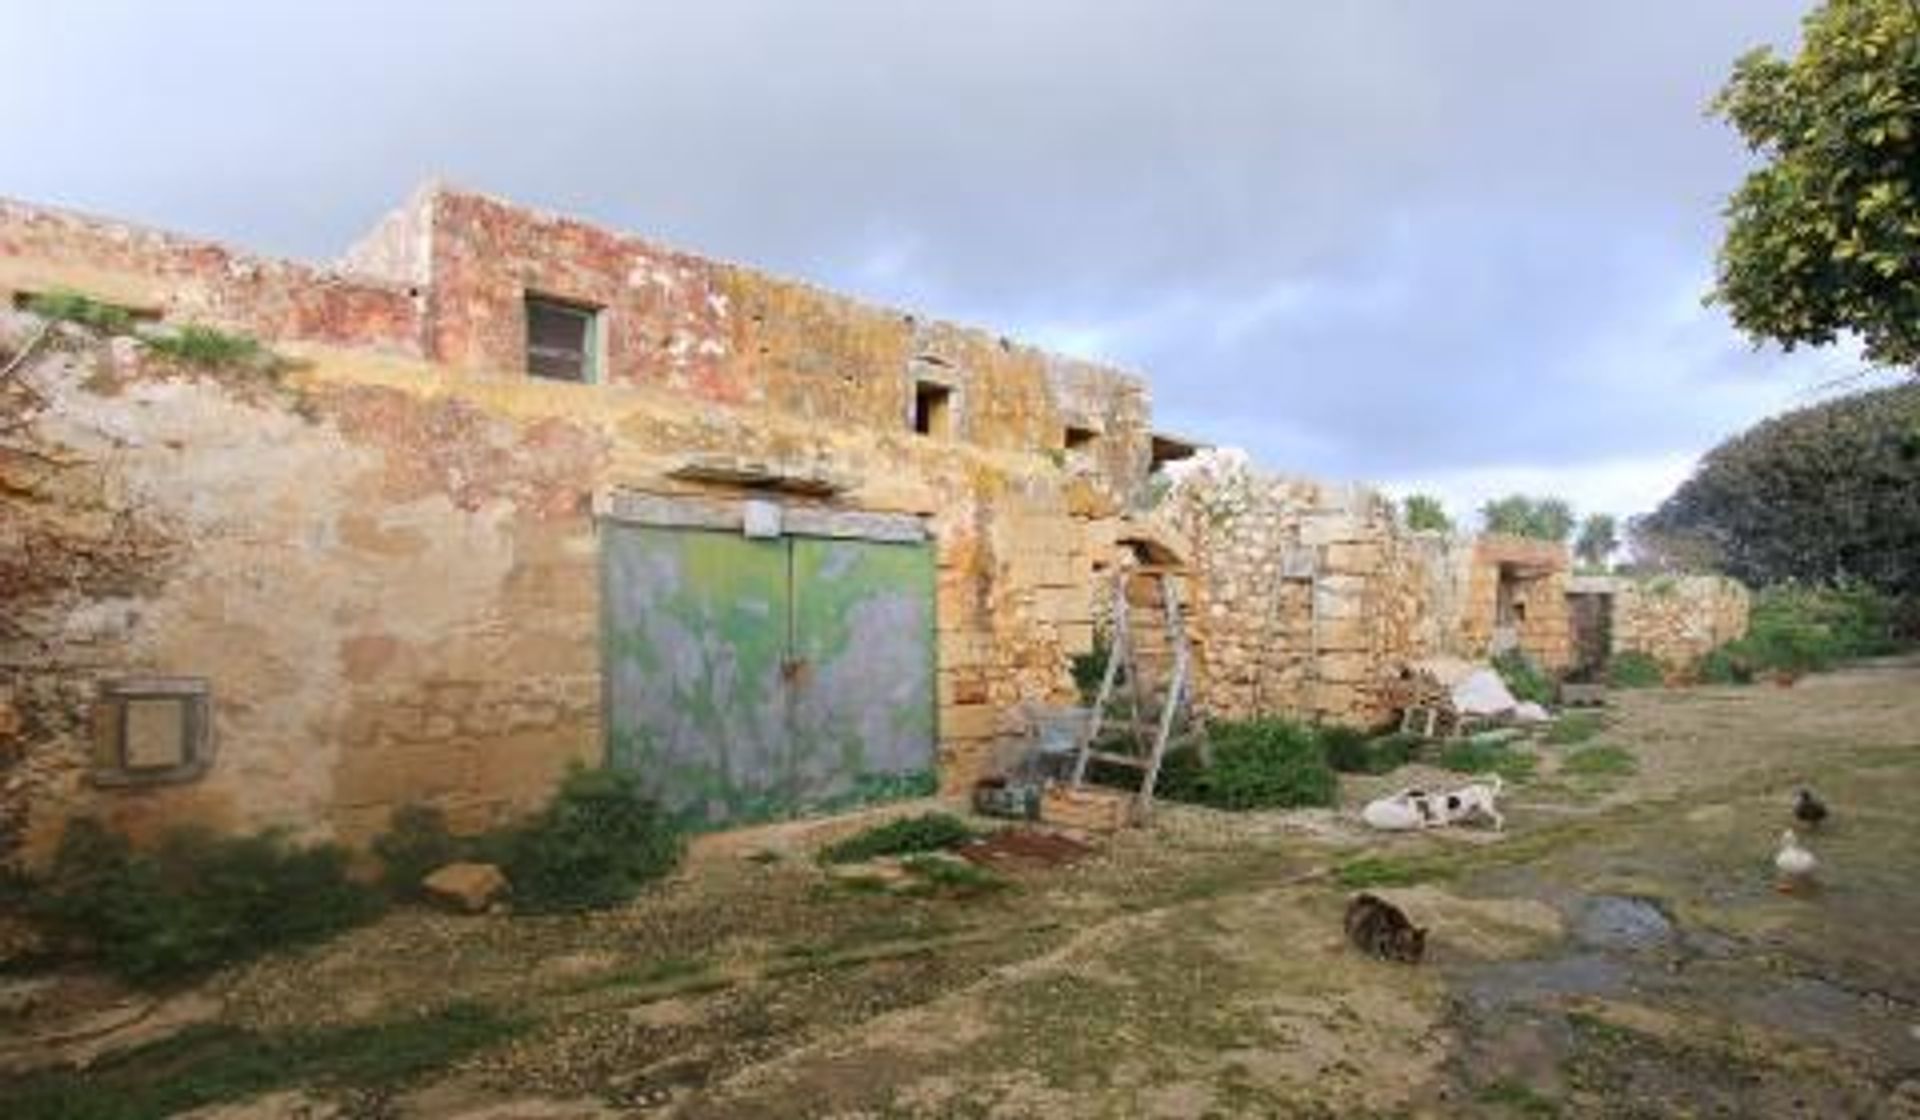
(1447, 245)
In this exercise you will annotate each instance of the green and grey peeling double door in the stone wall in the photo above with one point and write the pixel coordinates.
(761, 679)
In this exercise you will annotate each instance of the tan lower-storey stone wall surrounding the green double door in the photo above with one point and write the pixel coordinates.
(389, 573)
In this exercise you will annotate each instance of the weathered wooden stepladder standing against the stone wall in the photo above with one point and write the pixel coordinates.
(1136, 641)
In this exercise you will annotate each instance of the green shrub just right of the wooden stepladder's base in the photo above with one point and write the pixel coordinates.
(1262, 764)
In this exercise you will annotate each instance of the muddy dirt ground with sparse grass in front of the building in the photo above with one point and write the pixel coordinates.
(1618, 952)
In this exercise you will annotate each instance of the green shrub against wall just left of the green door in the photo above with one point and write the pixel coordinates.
(594, 846)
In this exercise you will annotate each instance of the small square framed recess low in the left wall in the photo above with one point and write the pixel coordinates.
(153, 731)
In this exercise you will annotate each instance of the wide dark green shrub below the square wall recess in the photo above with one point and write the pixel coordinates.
(197, 900)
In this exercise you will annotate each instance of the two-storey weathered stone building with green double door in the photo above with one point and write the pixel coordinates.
(523, 493)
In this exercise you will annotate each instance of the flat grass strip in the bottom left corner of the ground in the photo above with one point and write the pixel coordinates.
(220, 1063)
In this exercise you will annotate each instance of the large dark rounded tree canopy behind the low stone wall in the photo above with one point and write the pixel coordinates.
(1821, 495)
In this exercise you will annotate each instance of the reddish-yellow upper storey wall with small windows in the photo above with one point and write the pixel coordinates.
(731, 335)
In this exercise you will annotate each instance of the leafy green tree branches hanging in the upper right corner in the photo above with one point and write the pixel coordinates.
(1825, 237)
